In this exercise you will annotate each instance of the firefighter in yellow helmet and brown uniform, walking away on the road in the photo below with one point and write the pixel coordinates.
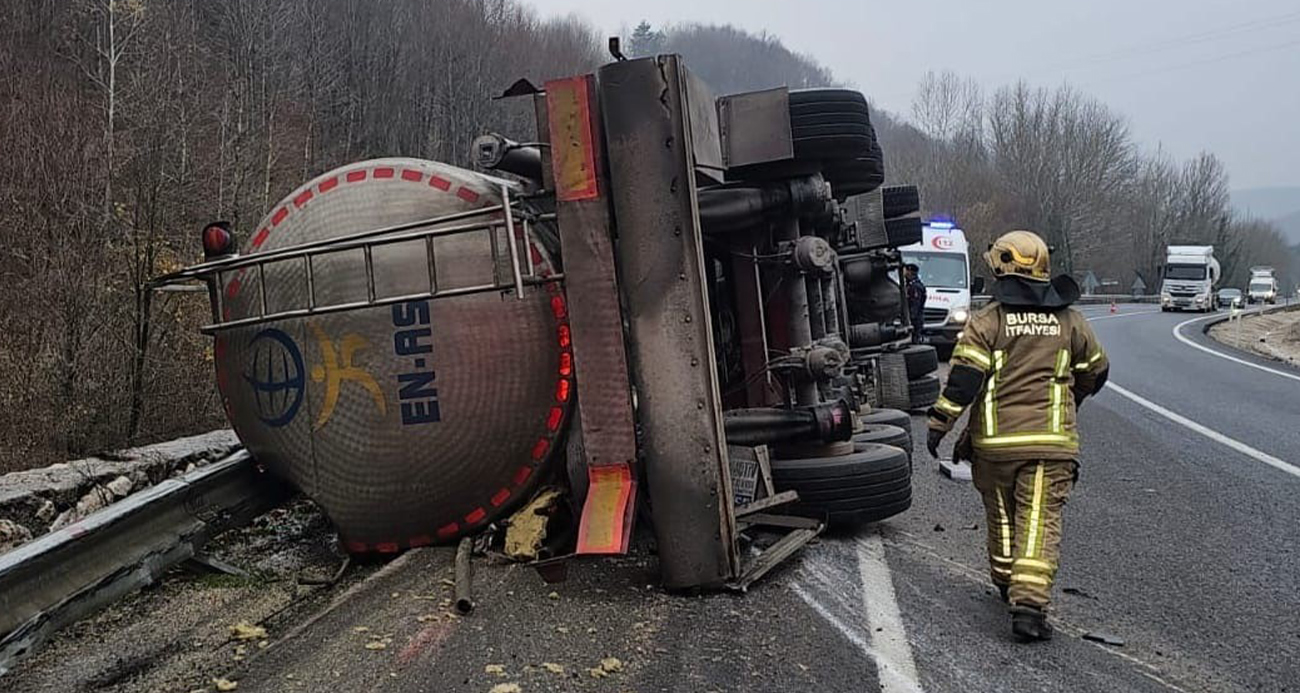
(1024, 365)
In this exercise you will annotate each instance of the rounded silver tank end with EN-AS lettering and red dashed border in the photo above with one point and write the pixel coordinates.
(413, 423)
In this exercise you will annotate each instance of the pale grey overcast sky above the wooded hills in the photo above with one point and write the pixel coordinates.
(1221, 76)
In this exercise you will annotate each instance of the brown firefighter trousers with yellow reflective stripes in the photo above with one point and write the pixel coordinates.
(1024, 501)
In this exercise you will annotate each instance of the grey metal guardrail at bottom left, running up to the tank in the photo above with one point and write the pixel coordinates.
(71, 574)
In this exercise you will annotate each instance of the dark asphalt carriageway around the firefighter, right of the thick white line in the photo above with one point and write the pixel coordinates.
(1181, 545)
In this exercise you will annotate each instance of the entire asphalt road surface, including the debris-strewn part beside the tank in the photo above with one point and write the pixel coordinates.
(1180, 543)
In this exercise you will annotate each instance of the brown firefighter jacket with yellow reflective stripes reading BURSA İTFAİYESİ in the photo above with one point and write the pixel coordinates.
(1022, 371)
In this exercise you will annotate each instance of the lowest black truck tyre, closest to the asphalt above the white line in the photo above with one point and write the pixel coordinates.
(872, 484)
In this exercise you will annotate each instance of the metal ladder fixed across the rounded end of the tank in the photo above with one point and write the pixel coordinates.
(428, 231)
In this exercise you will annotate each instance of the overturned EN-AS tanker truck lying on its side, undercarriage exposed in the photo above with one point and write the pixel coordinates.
(669, 298)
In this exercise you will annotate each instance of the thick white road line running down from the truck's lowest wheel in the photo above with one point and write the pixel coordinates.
(889, 636)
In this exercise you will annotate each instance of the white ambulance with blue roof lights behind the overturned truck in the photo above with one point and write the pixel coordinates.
(943, 257)
